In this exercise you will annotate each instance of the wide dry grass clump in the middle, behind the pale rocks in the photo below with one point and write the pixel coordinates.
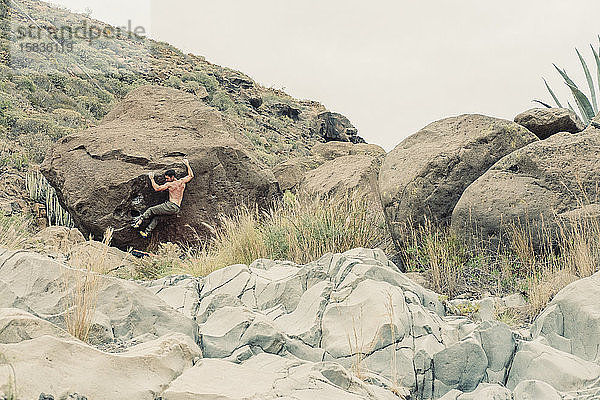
(299, 228)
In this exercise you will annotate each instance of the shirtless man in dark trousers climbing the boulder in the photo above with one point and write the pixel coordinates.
(175, 187)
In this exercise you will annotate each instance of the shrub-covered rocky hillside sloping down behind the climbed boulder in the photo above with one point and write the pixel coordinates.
(46, 97)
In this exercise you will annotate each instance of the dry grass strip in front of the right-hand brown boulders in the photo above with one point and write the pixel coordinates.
(534, 259)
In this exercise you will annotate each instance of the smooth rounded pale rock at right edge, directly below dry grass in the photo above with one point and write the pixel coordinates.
(571, 321)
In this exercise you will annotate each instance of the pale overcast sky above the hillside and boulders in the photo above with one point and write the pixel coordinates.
(390, 66)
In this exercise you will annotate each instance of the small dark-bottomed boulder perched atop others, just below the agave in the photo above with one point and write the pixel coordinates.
(545, 122)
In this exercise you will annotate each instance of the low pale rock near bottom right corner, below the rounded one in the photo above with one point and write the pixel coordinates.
(565, 372)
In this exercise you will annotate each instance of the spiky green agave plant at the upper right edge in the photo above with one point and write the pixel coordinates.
(588, 106)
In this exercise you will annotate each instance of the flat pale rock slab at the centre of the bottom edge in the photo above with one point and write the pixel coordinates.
(269, 377)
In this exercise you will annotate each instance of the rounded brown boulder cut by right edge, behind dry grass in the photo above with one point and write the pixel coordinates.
(537, 185)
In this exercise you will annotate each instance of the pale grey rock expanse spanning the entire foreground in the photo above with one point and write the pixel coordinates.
(347, 326)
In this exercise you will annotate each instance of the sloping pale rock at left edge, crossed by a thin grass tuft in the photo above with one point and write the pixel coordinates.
(125, 310)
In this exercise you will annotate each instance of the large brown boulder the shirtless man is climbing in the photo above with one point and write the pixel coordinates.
(100, 177)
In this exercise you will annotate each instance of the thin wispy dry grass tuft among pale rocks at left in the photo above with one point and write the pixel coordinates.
(82, 288)
